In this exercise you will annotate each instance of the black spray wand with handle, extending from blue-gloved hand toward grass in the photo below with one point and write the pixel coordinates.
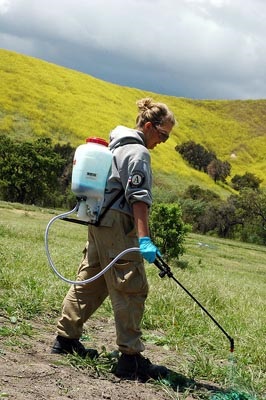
(165, 270)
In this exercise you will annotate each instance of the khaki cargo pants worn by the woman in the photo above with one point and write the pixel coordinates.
(125, 282)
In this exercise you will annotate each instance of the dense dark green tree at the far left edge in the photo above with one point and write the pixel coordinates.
(29, 171)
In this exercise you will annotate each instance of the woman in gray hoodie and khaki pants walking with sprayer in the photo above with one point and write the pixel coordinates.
(124, 225)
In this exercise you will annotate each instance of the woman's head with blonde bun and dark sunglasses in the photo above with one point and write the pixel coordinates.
(155, 120)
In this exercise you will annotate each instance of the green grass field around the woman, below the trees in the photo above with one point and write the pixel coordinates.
(227, 277)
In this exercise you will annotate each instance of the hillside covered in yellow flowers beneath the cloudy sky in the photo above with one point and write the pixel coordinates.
(40, 99)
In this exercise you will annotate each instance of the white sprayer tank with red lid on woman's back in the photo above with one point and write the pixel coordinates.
(91, 166)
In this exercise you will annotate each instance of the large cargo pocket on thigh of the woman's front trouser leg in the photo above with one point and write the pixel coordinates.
(129, 277)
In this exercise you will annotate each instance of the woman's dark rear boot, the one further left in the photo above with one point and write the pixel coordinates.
(70, 346)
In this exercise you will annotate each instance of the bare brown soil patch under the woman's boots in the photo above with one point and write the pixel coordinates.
(29, 371)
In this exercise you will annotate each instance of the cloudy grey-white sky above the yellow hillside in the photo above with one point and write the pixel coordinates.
(200, 49)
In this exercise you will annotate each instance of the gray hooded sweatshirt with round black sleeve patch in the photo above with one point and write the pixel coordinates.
(131, 174)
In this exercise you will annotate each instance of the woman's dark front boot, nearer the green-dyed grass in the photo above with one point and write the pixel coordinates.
(137, 367)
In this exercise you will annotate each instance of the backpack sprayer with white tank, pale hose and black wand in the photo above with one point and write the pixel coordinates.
(91, 167)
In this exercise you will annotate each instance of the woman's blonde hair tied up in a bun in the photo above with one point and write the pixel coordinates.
(156, 113)
